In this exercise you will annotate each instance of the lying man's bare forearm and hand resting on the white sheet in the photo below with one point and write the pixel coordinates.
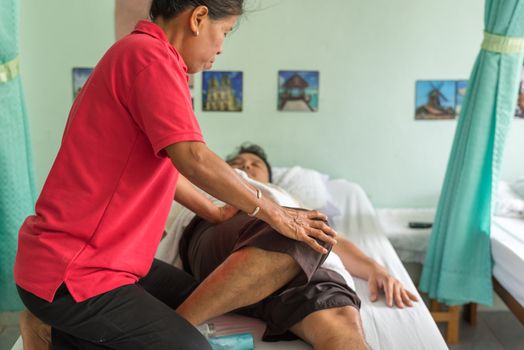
(360, 265)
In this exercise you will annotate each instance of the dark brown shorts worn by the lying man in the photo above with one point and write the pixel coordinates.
(204, 246)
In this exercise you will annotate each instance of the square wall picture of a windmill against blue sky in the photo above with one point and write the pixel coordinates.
(435, 99)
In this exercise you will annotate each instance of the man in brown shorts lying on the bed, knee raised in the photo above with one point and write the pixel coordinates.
(316, 303)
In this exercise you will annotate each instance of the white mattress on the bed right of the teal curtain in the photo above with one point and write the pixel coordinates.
(507, 248)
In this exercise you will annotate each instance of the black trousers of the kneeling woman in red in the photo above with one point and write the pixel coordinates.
(139, 316)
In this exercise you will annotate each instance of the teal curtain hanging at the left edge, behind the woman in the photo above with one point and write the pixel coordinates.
(17, 191)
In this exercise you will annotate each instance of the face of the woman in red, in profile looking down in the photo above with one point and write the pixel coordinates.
(200, 52)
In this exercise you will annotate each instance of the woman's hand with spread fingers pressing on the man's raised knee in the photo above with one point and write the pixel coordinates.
(305, 226)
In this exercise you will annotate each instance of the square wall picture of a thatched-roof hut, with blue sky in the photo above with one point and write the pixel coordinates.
(298, 91)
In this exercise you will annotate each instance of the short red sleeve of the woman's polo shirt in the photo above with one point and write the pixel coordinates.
(160, 103)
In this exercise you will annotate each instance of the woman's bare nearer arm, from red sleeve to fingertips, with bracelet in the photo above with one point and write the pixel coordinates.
(209, 172)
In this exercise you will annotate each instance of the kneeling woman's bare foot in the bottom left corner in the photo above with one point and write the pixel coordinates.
(36, 335)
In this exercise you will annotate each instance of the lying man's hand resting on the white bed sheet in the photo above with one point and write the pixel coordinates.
(393, 288)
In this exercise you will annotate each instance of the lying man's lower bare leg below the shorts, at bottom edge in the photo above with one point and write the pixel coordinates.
(332, 329)
